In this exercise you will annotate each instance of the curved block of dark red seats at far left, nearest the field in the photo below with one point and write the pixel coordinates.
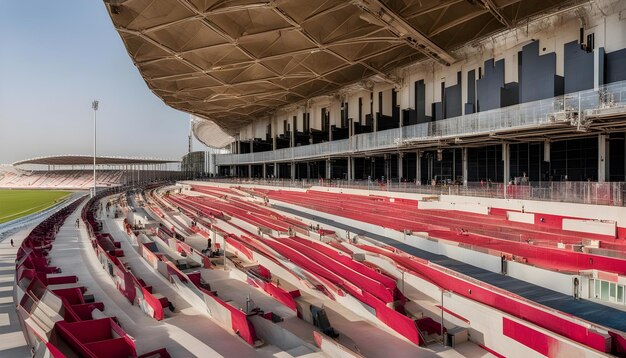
(63, 322)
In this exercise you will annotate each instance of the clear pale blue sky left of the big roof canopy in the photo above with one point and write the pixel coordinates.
(55, 58)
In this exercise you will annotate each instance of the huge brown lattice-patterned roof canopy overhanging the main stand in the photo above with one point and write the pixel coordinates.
(237, 60)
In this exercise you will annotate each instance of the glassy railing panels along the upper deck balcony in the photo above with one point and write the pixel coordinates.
(562, 109)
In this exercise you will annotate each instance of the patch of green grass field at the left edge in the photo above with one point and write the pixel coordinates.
(18, 203)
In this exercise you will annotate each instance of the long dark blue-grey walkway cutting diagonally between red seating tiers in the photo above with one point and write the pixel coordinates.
(587, 310)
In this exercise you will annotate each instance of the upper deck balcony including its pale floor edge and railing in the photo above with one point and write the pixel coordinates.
(584, 111)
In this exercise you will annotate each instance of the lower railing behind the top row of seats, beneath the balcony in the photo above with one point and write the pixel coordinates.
(611, 193)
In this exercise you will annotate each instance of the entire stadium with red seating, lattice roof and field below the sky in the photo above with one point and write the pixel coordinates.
(377, 178)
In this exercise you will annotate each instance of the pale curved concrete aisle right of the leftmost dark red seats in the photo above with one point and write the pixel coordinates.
(185, 334)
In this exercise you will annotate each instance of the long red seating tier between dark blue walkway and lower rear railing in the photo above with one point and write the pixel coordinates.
(485, 232)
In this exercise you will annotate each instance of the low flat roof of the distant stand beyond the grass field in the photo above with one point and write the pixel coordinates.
(88, 160)
